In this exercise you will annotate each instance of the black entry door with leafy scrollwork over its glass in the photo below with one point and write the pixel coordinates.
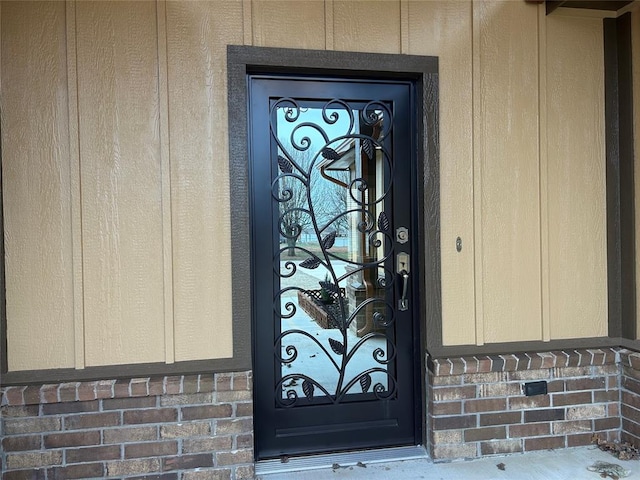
(336, 357)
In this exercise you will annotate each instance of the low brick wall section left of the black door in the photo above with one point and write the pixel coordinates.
(183, 427)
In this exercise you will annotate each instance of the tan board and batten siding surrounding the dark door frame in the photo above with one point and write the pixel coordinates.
(115, 168)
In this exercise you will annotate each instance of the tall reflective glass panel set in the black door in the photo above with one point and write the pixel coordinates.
(333, 260)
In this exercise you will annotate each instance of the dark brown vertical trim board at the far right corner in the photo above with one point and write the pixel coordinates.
(620, 177)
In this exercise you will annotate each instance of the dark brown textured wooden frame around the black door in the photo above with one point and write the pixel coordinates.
(244, 60)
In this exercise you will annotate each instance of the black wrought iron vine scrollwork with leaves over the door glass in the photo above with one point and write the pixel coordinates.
(305, 144)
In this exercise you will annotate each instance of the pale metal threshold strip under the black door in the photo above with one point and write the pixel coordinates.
(343, 459)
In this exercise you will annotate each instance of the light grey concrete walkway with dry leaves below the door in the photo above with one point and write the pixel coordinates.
(566, 464)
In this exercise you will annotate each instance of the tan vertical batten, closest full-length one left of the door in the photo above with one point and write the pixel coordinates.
(165, 179)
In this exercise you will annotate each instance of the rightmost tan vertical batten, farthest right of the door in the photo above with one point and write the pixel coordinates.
(543, 174)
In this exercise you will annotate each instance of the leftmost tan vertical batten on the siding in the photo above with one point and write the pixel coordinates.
(75, 185)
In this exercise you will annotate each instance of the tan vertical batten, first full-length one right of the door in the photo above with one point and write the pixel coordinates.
(476, 95)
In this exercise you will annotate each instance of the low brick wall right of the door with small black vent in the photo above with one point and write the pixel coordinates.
(476, 406)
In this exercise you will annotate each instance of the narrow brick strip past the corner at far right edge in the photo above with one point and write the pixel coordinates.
(630, 396)
